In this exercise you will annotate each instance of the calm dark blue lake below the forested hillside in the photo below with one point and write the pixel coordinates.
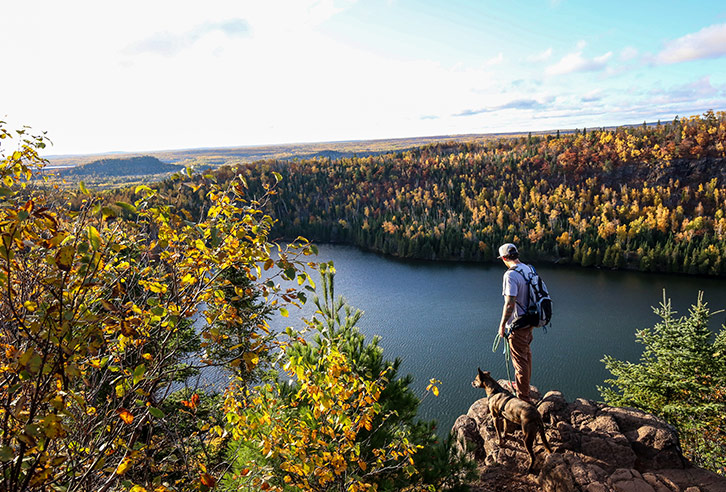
(440, 320)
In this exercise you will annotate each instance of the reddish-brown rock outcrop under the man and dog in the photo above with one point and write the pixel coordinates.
(597, 448)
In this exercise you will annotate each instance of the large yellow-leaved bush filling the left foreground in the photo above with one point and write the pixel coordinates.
(97, 309)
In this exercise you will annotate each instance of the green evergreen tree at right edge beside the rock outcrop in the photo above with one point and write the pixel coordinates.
(681, 377)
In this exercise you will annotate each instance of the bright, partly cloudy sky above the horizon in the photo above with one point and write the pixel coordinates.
(159, 75)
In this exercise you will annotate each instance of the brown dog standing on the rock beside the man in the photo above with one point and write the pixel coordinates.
(504, 406)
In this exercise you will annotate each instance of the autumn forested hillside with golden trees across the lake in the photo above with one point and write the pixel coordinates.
(651, 197)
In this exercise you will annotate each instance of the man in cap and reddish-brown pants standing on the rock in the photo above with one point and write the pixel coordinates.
(513, 325)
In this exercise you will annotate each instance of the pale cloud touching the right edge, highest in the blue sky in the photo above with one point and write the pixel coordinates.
(709, 42)
